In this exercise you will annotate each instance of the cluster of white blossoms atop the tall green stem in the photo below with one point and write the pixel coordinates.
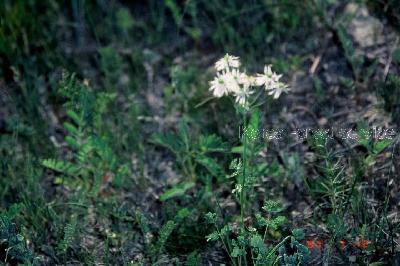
(229, 80)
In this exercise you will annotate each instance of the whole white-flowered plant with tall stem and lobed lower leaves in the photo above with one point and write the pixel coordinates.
(246, 90)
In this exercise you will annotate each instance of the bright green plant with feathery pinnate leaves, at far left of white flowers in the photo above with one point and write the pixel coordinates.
(93, 162)
